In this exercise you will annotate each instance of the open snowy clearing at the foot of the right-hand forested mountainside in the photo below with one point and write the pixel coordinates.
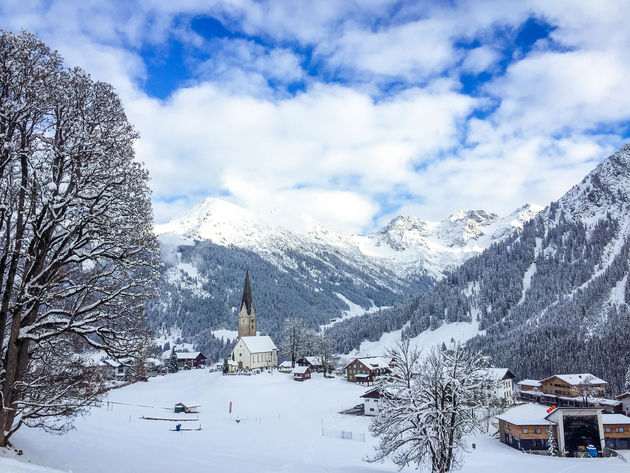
(458, 331)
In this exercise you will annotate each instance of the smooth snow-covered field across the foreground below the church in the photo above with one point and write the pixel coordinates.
(280, 430)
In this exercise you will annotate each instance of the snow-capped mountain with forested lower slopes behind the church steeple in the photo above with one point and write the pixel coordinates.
(317, 275)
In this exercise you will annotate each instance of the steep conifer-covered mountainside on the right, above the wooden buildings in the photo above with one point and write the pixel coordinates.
(560, 286)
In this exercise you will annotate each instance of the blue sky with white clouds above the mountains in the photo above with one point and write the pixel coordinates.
(353, 112)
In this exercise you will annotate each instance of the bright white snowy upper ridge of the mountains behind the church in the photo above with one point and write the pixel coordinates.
(405, 246)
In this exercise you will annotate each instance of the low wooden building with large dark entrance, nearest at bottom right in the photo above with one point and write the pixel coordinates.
(525, 427)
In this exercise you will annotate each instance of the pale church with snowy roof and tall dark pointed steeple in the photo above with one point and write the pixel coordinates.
(252, 351)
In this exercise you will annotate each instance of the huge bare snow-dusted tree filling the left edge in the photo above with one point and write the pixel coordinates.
(77, 253)
